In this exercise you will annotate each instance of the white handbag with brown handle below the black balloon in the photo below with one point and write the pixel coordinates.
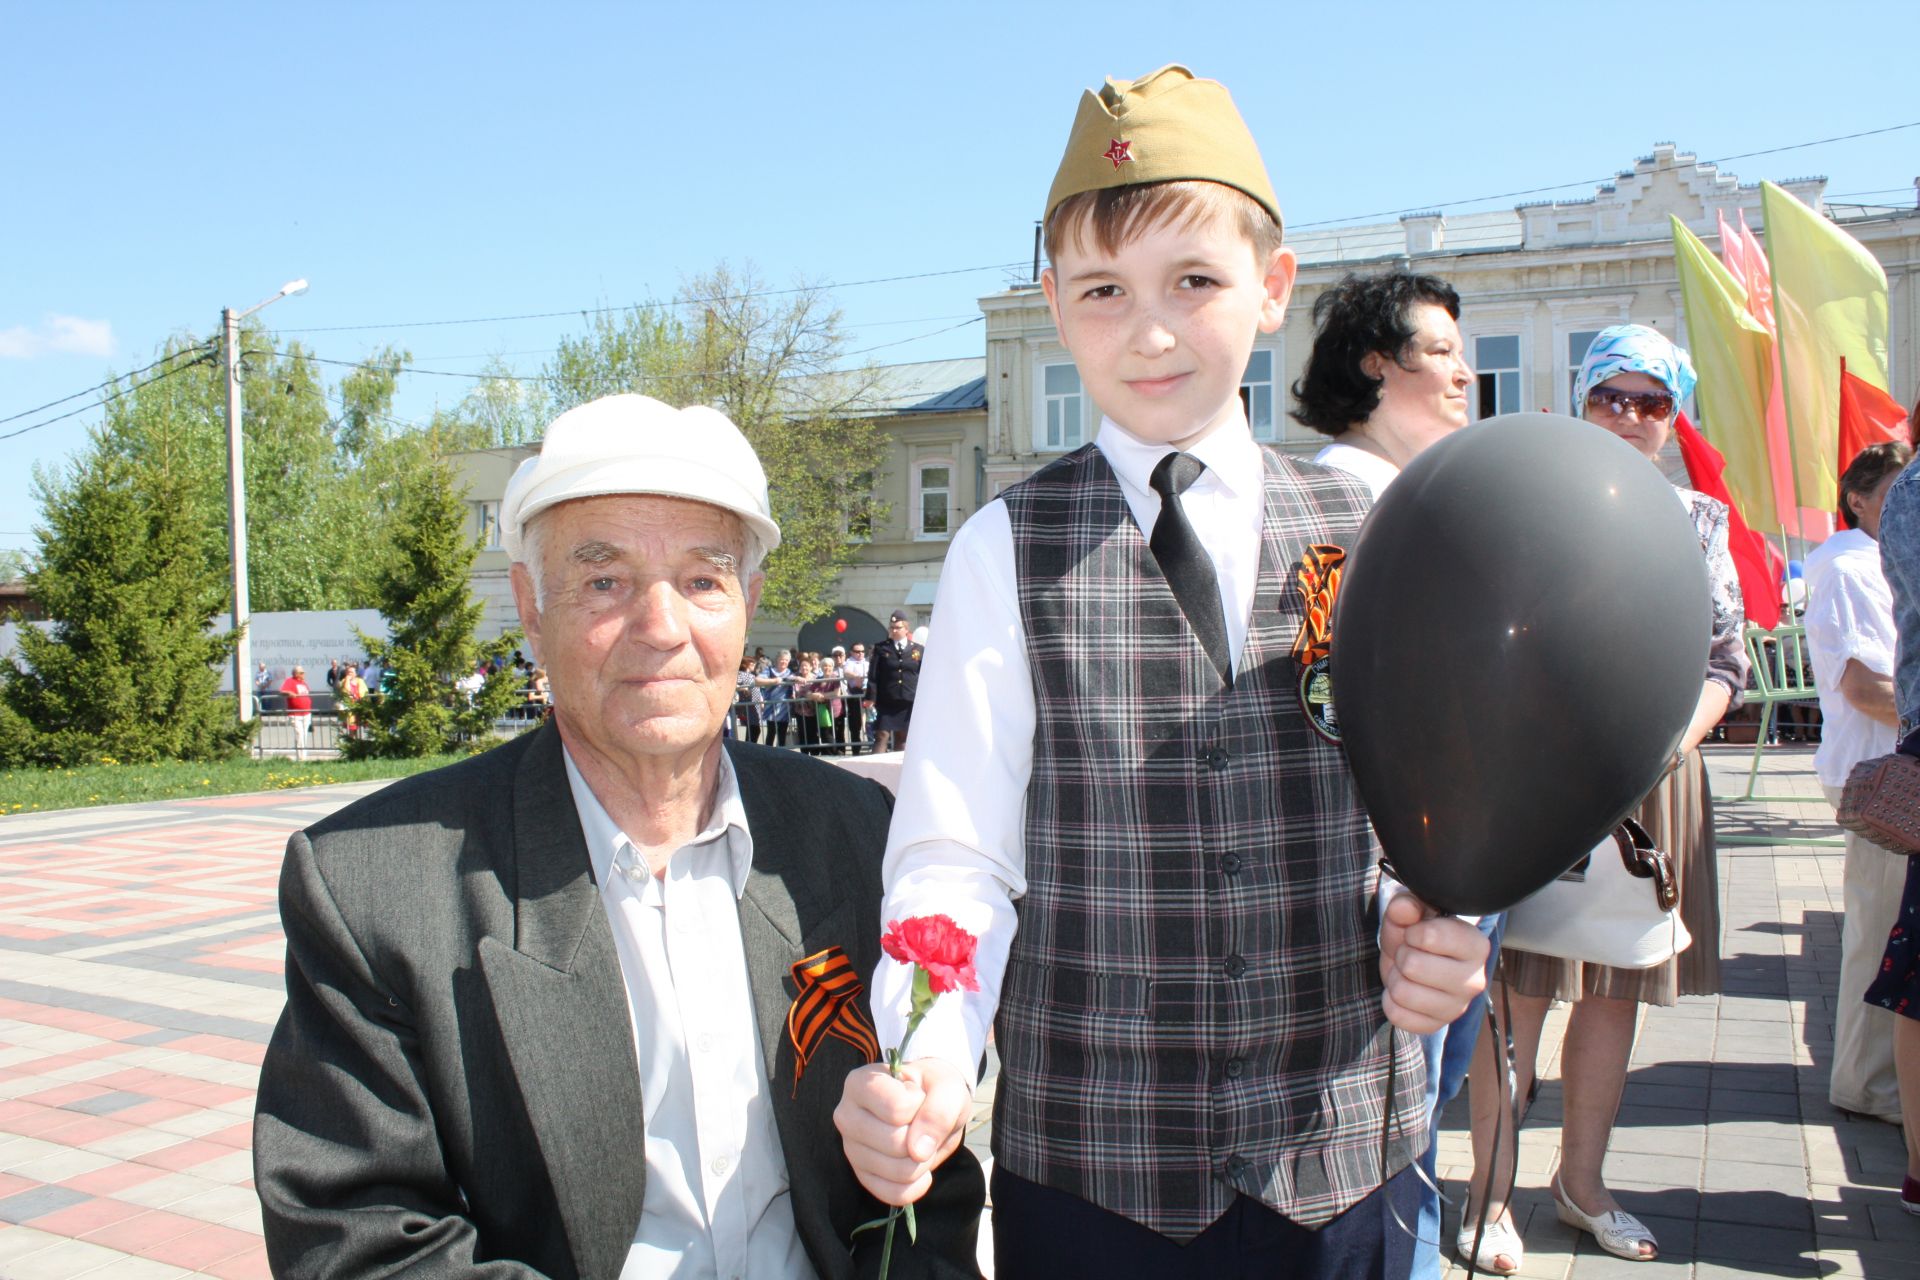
(1618, 907)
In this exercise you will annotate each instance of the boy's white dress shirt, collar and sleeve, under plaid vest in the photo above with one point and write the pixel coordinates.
(959, 826)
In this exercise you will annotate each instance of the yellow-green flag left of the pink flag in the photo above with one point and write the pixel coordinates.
(1735, 360)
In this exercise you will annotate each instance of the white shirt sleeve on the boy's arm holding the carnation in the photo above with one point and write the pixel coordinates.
(957, 840)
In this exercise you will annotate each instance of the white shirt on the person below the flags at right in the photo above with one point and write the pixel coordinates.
(1850, 615)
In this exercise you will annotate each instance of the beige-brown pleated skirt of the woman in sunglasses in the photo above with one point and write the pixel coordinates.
(1679, 817)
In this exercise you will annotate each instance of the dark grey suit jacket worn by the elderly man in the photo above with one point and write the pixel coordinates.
(452, 1089)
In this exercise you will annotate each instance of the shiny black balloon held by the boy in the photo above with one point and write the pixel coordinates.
(1518, 648)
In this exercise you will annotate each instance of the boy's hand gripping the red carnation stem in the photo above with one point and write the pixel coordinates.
(900, 1131)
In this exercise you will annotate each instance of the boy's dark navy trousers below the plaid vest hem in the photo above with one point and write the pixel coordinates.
(1047, 1235)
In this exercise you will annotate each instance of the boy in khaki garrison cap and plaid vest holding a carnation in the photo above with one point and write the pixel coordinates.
(1193, 1051)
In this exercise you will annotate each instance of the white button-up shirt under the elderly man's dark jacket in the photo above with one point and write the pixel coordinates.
(717, 1179)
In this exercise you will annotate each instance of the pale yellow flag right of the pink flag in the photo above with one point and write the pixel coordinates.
(1831, 302)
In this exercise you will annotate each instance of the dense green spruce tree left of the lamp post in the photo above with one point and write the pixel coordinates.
(130, 667)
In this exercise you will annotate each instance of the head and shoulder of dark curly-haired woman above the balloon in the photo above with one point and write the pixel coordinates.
(1387, 375)
